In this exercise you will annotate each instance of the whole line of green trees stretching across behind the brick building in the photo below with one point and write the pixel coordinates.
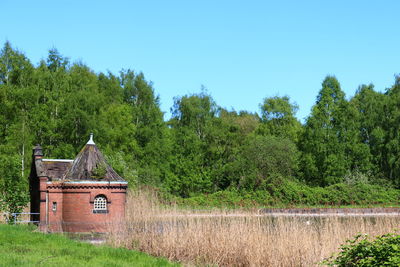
(203, 148)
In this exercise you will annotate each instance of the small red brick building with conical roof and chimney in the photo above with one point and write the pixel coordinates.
(80, 195)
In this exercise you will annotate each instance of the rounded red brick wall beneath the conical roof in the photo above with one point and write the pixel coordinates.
(74, 206)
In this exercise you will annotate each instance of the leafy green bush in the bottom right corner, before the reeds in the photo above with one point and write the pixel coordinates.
(360, 251)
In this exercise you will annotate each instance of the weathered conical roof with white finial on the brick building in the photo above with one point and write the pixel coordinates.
(90, 164)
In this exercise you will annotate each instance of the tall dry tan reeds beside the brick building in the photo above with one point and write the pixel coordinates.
(238, 238)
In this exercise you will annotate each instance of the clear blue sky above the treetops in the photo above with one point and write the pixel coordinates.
(241, 51)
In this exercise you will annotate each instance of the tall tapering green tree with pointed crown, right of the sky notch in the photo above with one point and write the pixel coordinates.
(325, 135)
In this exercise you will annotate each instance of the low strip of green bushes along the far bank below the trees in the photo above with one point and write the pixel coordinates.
(292, 193)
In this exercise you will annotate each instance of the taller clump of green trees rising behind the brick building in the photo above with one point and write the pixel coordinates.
(57, 104)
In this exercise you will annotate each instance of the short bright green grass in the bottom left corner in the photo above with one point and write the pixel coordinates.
(23, 246)
